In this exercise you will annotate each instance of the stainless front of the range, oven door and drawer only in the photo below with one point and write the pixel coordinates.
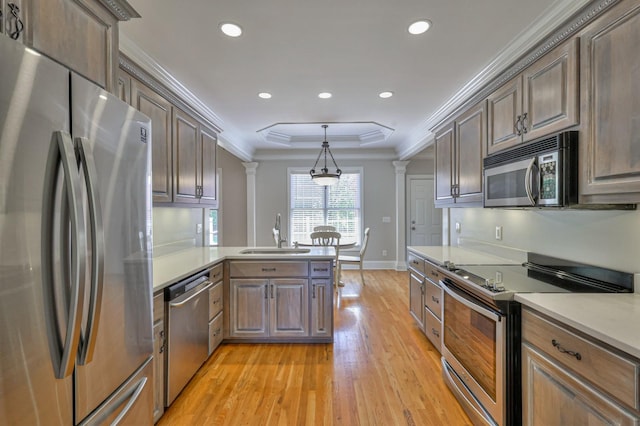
(473, 354)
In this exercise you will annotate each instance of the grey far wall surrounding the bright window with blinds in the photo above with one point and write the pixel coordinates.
(378, 194)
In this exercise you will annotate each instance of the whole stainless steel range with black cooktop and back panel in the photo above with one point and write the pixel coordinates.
(481, 327)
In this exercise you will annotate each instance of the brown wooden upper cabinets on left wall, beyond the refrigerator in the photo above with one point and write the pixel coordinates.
(184, 148)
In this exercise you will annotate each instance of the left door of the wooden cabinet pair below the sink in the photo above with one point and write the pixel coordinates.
(249, 308)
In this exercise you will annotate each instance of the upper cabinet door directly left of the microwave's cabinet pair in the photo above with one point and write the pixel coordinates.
(471, 137)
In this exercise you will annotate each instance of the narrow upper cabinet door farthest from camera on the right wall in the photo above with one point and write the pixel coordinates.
(444, 173)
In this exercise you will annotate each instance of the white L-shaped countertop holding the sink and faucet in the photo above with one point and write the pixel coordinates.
(172, 267)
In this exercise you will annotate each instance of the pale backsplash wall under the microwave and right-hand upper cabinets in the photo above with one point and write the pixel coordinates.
(605, 238)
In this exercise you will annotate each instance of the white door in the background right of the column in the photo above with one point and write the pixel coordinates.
(425, 221)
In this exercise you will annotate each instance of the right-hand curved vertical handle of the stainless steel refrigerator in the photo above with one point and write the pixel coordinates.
(85, 156)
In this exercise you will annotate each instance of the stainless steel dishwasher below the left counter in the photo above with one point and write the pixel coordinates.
(188, 331)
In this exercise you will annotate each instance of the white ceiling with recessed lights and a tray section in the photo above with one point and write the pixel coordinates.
(354, 49)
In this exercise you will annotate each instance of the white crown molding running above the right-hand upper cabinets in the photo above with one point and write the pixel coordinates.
(558, 23)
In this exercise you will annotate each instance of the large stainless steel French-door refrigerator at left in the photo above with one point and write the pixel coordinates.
(75, 249)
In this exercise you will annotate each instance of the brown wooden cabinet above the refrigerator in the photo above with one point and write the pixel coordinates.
(80, 34)
